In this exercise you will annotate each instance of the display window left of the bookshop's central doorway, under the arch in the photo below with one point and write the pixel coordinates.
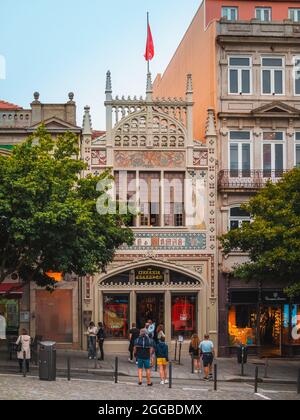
(116, 315)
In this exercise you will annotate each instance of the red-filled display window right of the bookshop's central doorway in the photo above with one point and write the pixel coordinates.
(184, 319)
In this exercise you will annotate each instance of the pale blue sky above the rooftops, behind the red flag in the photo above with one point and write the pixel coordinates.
(58, 46)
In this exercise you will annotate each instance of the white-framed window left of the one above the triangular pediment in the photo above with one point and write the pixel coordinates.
(240, 75)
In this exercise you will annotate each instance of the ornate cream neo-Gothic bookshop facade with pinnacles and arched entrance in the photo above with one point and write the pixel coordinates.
(169, 275)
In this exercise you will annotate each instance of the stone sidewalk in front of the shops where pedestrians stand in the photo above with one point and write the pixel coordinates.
(278, 370)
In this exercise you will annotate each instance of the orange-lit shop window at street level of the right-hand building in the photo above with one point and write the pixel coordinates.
(242, 325)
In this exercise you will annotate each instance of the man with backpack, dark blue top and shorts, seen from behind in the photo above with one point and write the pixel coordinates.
(143, 349)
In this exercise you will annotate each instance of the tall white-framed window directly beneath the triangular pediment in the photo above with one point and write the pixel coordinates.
(273, 153)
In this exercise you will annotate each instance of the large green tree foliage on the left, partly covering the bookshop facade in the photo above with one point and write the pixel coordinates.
(48, 215)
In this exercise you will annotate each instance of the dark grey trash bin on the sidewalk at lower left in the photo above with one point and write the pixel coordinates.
(47, 361)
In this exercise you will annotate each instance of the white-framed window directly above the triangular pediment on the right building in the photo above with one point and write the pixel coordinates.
(272, 75)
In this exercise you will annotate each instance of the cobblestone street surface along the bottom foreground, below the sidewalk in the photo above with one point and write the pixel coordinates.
(15, 387)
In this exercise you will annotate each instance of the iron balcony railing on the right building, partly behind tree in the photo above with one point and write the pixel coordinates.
(248, 179)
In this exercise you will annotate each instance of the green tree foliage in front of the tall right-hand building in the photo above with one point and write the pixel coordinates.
(273, 239)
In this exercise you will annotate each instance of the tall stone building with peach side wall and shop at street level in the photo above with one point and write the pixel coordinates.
(251, 80)
